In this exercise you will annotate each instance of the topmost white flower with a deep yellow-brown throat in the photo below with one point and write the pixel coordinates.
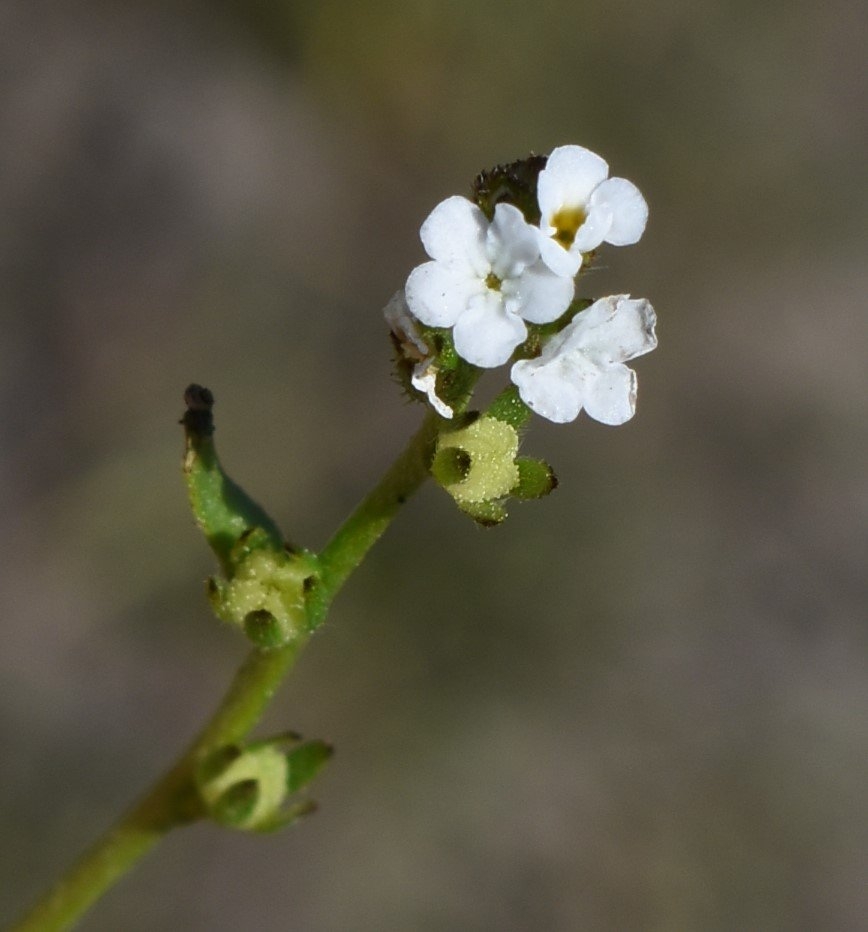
(582, 207)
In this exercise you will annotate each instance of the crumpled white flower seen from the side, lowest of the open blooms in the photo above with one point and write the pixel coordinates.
(583, 365)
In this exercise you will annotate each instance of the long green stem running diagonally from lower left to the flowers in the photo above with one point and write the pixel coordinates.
(173, 800)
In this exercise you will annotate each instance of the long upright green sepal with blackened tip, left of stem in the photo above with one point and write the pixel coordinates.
(222, 509)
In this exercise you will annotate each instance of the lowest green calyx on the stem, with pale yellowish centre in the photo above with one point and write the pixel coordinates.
(249, 788)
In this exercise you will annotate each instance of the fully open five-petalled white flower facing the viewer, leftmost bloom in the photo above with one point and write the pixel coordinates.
(485, 280)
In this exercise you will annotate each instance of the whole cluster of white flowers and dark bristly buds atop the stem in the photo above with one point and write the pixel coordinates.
(500, 286)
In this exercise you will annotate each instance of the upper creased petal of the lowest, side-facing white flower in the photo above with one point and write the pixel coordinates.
(612, 330)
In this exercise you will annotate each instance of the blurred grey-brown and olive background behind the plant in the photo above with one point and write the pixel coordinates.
(641, 703)
